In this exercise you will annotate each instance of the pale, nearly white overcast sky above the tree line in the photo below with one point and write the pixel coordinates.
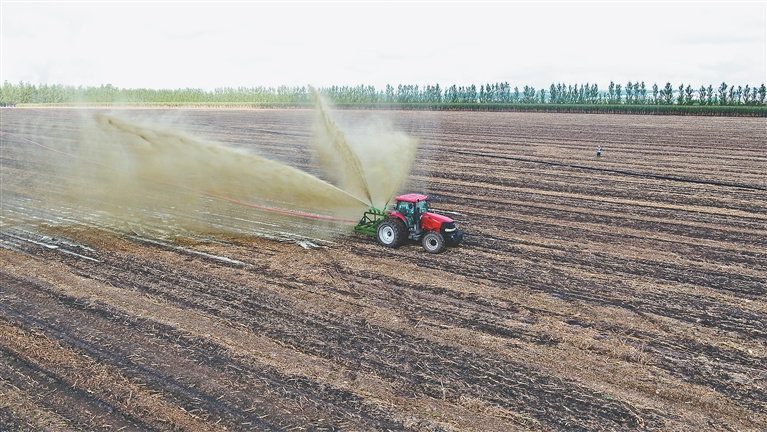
(206, 45)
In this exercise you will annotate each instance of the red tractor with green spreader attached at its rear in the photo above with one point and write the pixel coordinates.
(411, 219)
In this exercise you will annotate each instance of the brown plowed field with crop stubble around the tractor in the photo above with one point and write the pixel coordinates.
(586, 297)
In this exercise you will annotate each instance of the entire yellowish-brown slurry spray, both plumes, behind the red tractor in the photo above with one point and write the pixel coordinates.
(153, 179)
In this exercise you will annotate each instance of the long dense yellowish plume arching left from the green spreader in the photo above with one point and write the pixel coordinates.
(154, 156)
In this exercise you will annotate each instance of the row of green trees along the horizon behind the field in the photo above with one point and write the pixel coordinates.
(634, 93)
